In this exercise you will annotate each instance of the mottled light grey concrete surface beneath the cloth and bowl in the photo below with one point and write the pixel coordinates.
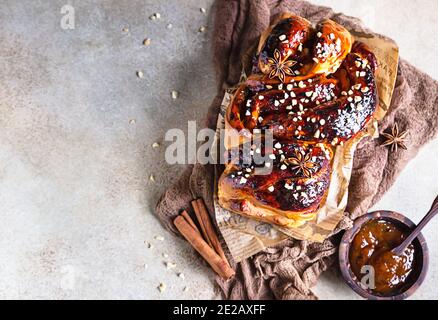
(76, 149)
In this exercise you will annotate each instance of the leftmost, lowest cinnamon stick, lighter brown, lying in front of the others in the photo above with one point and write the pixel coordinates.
(219, 265)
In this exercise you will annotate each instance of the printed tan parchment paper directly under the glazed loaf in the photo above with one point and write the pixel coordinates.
(245, 237)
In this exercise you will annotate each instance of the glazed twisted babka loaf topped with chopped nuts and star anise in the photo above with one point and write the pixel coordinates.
(314, 88)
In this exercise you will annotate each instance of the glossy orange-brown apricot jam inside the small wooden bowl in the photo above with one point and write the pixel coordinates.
(371, 247)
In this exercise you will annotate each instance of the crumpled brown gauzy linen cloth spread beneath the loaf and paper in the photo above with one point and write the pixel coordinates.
(290, 269)
